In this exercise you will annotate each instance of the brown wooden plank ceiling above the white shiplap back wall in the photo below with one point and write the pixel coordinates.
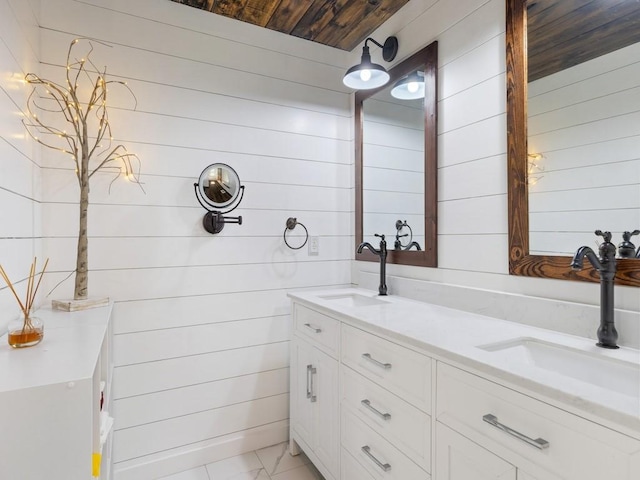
(342, 24)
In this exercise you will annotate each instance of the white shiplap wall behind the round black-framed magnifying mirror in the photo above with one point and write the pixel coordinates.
(202, 322)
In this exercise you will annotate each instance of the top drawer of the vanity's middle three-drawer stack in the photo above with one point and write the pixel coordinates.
(398, 369)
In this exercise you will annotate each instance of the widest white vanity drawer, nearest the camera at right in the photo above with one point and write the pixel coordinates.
(577, 449)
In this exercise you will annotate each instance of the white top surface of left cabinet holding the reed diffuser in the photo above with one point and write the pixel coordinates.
(68, 352)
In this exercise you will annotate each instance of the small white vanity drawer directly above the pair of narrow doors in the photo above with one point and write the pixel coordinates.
(321, 330)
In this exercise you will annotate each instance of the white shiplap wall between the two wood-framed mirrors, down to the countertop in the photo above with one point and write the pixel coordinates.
(472, 179)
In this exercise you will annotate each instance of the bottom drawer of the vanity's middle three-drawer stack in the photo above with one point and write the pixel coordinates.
(375, 454)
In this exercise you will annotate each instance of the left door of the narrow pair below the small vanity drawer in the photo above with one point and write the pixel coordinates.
(301, 406)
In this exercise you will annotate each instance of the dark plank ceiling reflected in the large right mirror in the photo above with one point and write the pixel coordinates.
(561, 34)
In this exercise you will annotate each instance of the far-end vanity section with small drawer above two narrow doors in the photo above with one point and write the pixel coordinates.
(314, 389)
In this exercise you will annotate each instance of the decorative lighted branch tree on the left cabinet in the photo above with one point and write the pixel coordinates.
(88, 140)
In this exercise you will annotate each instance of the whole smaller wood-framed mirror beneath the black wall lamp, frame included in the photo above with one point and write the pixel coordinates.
(396, 163)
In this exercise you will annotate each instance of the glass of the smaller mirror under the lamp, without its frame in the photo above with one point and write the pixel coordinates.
(393, 166)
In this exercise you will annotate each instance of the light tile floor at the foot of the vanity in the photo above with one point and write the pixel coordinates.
(271, 463)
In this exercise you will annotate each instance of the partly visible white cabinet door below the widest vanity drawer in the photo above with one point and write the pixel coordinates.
(458, 458)
